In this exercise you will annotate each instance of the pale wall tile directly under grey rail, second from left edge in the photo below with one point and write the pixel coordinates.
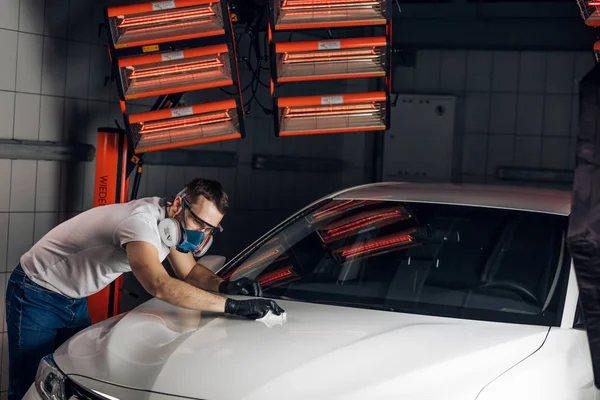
(22, 185)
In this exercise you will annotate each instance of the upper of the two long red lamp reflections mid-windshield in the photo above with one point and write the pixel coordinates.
(363, 222)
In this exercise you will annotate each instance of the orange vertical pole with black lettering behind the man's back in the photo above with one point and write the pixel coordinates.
(110, 187)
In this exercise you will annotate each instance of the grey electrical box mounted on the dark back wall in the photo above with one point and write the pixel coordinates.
(419, 146)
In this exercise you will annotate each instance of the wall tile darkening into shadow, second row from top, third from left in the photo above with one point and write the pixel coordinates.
(55, 67)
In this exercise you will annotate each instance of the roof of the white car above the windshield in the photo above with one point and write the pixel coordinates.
(551, 201)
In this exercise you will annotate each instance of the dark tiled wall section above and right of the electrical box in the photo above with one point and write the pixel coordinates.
(514, 108)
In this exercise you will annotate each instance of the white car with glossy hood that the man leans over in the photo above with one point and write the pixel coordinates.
(391, 291)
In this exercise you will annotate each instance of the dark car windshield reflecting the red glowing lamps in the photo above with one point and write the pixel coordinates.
(435, 259)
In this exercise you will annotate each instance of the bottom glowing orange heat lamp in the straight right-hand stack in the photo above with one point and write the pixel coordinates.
(313, 115)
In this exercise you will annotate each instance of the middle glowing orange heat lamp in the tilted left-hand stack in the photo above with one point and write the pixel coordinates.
(176, 71)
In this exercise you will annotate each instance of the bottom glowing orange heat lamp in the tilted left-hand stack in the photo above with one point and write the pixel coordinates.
(186, 126)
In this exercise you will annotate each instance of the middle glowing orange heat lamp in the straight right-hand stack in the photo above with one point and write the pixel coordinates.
(331, 59)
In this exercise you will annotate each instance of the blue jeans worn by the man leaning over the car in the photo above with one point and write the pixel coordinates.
(38, 322)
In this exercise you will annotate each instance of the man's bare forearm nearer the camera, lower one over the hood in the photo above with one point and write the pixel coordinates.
(184, 295)
